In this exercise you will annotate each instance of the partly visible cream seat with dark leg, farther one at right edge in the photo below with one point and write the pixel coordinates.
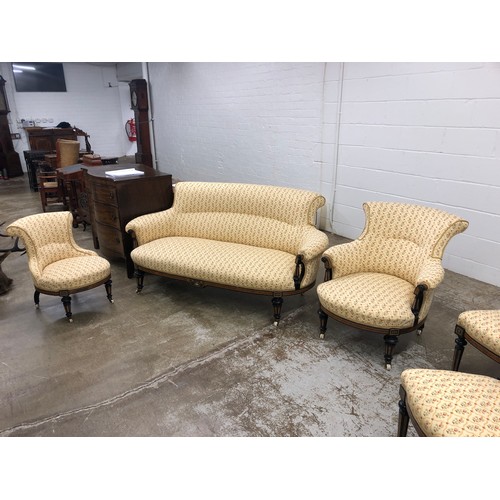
(482, 330)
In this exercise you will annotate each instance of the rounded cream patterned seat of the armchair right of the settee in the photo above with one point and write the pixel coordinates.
(378, 300)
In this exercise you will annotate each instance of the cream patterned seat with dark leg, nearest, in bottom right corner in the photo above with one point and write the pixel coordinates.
(444, 403)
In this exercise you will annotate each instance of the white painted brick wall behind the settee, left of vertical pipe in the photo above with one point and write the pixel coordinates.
(246, 122)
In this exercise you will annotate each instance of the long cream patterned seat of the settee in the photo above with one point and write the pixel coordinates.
(230, 264)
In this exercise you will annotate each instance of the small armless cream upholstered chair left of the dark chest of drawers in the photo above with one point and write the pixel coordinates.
(57, 264)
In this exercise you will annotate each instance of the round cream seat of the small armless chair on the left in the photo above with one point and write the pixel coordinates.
(73, 273)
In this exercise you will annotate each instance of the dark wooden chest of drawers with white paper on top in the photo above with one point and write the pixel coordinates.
(116, 201)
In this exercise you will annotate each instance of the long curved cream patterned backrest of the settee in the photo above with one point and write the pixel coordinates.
(265, 216)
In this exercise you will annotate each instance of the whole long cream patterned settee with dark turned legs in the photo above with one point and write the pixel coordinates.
(245, 237)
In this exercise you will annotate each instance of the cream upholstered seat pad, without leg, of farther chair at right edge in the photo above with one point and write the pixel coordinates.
(483, 327)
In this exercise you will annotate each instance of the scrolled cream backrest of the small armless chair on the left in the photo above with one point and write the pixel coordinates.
(47, 237)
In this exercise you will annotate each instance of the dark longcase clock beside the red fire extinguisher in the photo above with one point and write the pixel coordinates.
(139, 103)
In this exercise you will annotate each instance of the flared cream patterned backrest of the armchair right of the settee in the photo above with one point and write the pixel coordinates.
(401, 236)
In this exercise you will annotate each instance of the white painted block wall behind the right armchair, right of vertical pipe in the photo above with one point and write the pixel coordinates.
(428, 134)
